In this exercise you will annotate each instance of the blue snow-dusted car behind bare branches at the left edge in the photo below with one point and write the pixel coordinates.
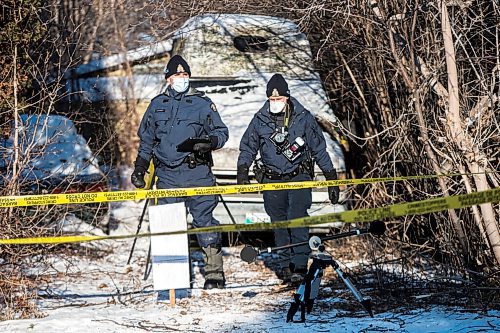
(54, 158)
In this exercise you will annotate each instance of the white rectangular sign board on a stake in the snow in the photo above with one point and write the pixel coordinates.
(169, 254)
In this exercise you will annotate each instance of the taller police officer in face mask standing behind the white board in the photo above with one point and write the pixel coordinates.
(180, 113)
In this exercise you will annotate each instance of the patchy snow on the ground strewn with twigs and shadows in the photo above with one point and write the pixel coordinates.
(106, 295)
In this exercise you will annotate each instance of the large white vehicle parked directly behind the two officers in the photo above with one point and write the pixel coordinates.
(232, 57)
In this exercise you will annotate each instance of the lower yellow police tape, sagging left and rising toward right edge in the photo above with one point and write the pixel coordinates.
(361, 215)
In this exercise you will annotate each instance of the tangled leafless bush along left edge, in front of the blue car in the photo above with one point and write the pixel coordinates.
(33, 58)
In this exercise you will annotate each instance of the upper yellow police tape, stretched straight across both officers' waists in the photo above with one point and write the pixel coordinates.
(79, 198)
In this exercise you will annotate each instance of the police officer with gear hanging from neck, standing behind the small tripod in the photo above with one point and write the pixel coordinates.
(289, 141)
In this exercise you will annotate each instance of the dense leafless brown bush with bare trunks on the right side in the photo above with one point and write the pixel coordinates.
(384, 64)
